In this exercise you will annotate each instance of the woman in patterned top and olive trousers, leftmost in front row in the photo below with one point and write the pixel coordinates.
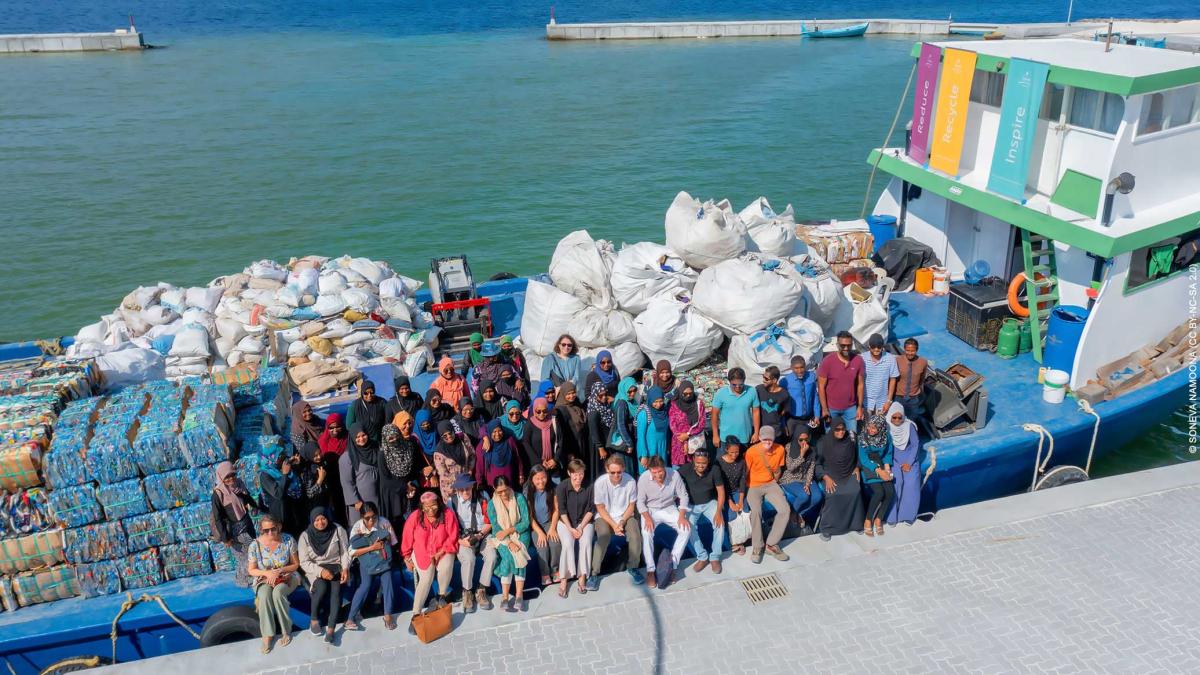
(273, 563)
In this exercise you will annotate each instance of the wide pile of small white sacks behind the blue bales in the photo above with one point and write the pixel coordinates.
(346, 313)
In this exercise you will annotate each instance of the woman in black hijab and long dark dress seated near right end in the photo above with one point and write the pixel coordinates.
(838, 471)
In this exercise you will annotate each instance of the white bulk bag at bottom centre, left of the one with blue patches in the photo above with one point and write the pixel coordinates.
(671, 330)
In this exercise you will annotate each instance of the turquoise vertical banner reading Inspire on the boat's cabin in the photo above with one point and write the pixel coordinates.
(1018, 124)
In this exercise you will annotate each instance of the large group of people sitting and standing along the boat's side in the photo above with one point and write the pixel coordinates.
(506, 483)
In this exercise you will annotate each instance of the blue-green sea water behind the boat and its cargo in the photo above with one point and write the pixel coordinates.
(411, 130)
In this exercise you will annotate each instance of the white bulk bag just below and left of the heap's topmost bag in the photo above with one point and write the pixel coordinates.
(645, 271)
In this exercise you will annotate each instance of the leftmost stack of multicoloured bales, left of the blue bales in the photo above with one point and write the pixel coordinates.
(33, 397)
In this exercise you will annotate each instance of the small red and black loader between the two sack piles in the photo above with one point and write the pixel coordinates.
(457, 308)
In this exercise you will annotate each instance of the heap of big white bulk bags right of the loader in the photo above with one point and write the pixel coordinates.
(722, 274)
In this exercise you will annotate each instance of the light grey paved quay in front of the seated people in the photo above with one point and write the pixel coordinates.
(1090, 578)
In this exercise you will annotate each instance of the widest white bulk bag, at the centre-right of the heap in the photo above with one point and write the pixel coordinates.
(748, 294)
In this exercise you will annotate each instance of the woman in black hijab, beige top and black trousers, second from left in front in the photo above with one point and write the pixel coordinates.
(326, 560)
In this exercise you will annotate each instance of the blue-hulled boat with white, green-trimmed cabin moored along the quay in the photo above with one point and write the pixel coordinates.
(1109, 187)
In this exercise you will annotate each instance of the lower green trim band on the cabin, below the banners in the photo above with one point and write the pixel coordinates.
(1028, 219)
